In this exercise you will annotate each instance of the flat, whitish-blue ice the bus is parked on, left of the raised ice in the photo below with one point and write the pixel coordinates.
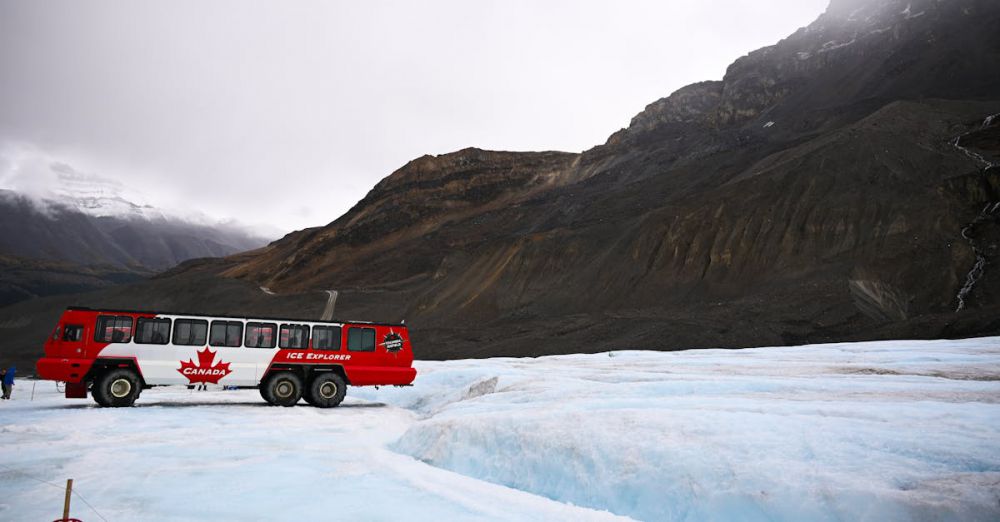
(224, 455)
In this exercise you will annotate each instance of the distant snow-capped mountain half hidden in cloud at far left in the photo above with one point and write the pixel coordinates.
(63, 230)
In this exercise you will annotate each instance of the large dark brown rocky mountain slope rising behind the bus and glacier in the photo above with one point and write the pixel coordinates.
(836, 185)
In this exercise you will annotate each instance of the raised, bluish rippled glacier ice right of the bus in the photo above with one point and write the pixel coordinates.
(867, 431)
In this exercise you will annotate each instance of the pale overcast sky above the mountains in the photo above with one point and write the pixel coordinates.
(285, 114)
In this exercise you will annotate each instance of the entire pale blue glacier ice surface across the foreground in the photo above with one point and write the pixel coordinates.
(905, 430)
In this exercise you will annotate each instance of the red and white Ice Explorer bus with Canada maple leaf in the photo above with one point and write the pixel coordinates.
(115, 354)
